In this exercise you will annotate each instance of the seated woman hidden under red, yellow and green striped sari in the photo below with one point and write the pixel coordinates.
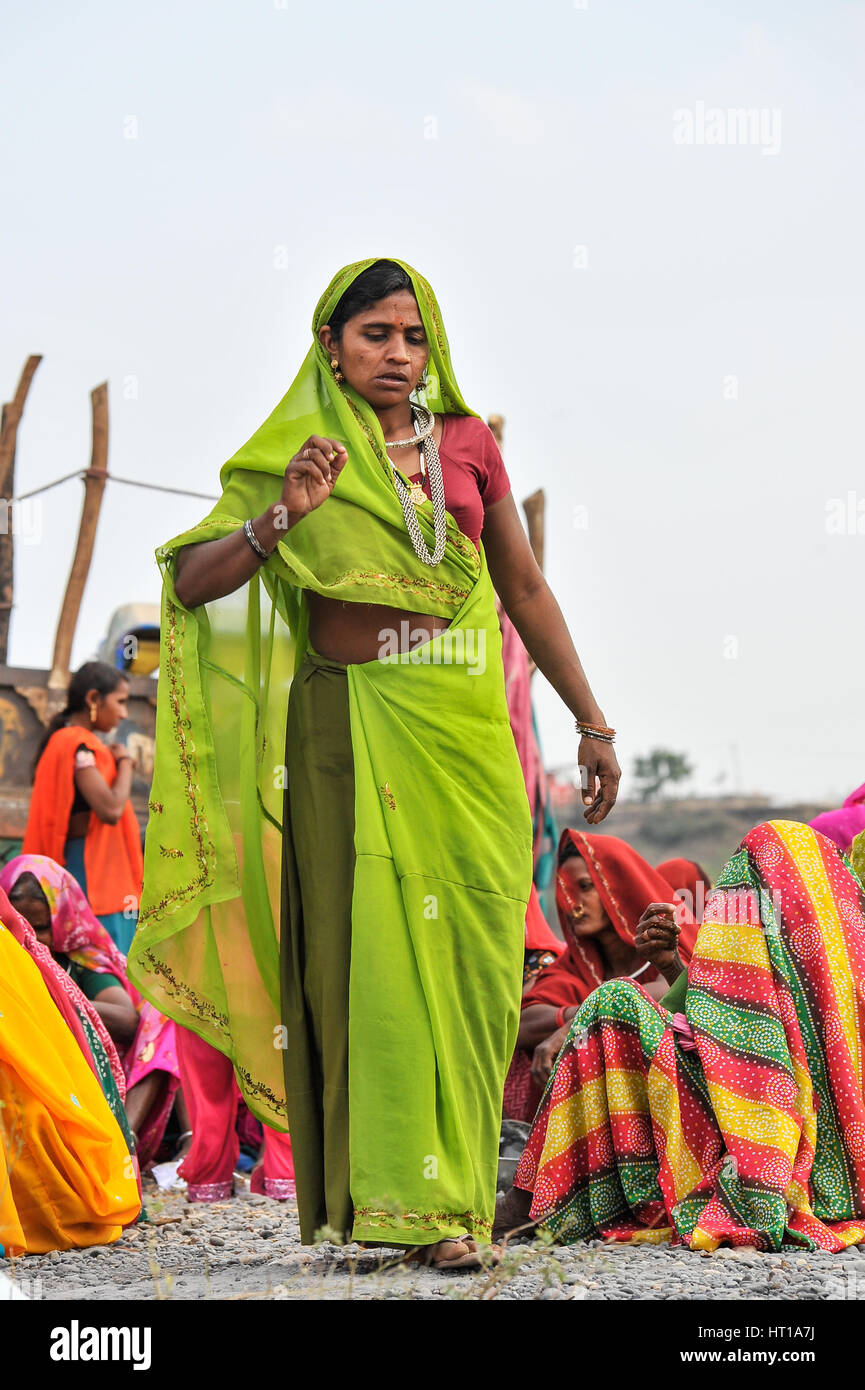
(742, 1120)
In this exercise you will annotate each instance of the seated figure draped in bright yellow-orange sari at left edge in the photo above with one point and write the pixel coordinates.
(66, 1175)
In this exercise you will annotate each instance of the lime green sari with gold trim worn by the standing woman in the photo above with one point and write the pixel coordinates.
(443, 832)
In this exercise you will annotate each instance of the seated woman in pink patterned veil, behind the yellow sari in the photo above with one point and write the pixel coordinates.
(54, 903)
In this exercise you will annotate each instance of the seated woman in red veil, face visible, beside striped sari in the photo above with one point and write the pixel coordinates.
(603, 888)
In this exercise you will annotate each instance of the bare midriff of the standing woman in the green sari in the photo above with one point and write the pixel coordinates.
(353, 633)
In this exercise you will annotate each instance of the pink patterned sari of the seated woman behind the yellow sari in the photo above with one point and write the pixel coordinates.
(80, 935)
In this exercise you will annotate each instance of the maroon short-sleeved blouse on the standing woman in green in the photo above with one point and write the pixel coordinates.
(474, 472)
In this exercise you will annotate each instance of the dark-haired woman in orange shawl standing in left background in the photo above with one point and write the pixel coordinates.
(81, 815)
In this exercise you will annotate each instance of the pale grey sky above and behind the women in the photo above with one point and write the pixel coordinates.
(674, 332)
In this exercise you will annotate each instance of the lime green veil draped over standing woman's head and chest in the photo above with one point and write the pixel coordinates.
(354, 548)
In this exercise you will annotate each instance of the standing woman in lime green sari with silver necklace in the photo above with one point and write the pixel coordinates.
(340, 849)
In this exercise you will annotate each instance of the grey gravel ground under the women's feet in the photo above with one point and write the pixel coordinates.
(250, 1249)
